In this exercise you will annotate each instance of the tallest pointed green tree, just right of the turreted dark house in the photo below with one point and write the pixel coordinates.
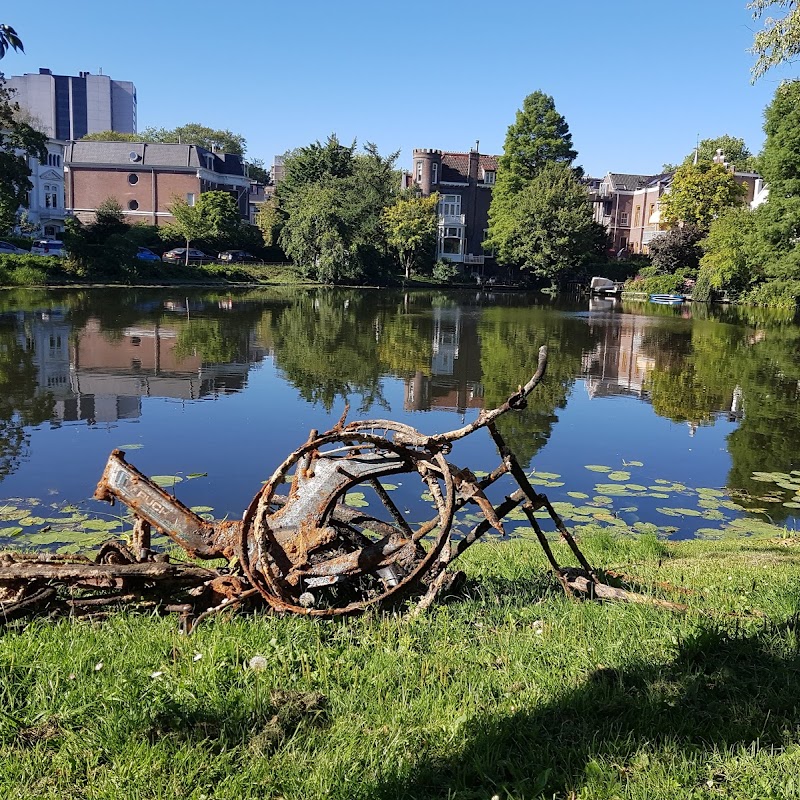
(538, 143)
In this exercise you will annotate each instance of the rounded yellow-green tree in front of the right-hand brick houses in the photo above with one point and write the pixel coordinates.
(699, 193)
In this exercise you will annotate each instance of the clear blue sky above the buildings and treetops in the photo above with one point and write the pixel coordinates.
(636, 81)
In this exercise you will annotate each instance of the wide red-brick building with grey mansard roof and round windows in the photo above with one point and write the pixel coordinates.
(146, 178)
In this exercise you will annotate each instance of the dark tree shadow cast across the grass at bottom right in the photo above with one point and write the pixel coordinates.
(719, 691)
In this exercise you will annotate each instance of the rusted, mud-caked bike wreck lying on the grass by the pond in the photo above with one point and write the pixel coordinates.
(307, 551)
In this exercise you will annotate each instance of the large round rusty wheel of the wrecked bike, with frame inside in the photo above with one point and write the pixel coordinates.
(313, 554)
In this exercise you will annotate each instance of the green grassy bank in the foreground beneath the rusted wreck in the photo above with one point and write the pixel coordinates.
(512, 690)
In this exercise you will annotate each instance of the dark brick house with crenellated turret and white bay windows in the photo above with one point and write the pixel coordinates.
(464, 182)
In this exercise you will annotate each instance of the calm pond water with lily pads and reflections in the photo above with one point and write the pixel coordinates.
(684, 421)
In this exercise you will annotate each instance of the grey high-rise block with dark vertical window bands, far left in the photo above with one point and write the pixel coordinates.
(69, 107)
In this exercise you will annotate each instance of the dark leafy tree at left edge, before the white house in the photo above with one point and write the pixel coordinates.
(18, 141)
